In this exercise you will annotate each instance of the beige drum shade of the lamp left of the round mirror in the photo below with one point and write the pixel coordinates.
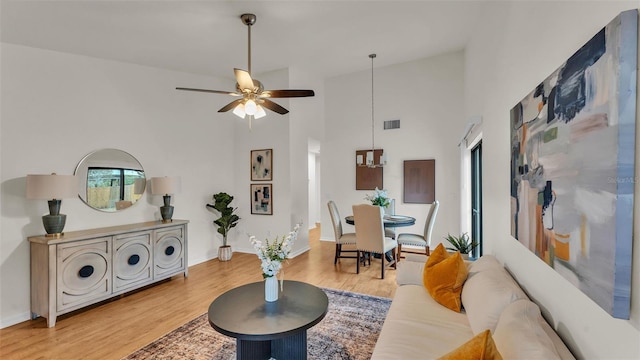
(47, 187)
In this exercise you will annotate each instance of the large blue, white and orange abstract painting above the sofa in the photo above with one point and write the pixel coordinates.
(572, 166)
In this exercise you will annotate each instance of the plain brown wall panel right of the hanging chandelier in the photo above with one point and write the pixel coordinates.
(419, 181)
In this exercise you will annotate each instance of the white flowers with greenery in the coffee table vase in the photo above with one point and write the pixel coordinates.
(273, 253)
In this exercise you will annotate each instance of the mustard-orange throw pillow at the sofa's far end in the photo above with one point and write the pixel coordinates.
(443, 277)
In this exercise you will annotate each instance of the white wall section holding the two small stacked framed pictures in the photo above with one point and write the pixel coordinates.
(287, 135)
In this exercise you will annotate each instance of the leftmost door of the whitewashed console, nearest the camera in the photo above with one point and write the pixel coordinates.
(84, 272)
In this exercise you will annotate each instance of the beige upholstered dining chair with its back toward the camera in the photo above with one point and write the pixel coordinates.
(370, 236)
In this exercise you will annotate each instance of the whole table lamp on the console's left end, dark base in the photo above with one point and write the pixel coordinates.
(52, 188)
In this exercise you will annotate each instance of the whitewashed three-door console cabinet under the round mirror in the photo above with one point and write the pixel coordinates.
(84, 267)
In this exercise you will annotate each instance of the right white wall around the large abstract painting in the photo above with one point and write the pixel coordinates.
(519, 45)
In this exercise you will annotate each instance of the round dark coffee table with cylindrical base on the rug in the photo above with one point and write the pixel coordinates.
(269, 329)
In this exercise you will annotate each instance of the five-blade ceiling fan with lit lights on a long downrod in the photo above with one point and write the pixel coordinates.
(253, 98)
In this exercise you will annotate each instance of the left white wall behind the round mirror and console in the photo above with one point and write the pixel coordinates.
(58, 107)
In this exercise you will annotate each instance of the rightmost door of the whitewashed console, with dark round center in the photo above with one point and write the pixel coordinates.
(169, 250)
